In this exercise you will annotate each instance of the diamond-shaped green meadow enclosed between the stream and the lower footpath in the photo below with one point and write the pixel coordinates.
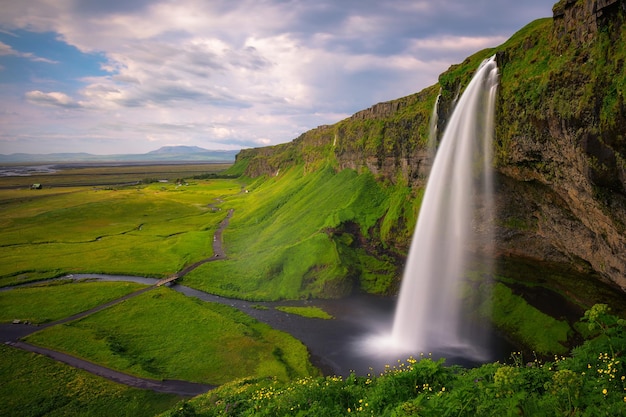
(162, 334)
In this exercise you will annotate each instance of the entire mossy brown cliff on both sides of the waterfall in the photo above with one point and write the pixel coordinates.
(560, 151)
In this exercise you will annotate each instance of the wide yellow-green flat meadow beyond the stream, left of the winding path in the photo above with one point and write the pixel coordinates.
(153, 230)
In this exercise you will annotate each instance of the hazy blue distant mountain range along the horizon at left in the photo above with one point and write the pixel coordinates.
(163, 154)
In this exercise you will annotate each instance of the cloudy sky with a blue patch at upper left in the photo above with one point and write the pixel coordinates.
(130, 76)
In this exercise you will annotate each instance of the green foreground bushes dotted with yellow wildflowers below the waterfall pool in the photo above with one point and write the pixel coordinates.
(590, 382)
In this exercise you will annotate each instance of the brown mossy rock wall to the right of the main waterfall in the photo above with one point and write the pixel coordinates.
(565, 172)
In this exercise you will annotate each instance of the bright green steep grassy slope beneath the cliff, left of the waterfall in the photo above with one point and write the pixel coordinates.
(287, 238)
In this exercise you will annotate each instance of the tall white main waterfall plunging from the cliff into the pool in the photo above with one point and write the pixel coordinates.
(428, 313)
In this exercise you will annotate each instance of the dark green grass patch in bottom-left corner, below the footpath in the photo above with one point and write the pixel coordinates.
(34, 385)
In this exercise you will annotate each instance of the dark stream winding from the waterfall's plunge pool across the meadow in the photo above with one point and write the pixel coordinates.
(336, 345)
